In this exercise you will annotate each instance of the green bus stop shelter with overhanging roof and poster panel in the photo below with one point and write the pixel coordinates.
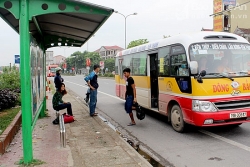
(43, 24)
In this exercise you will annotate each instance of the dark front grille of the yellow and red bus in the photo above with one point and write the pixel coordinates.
(231, 105)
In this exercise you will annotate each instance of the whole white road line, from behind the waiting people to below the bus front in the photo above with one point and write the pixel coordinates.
(234, 143)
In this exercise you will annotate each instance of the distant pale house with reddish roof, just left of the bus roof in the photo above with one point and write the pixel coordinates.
(107, 52)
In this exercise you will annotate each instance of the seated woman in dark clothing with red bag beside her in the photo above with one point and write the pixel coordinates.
(58, 103)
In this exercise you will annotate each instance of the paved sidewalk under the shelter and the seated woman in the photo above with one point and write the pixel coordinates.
(90, 142)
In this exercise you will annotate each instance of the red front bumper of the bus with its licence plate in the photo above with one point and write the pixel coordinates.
(220, 118)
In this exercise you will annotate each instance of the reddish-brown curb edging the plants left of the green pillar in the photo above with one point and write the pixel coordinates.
(9, 133)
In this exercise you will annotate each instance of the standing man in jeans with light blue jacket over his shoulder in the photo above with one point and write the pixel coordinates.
(91, 79)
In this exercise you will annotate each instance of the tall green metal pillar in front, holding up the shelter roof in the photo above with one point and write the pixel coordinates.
(25, 81)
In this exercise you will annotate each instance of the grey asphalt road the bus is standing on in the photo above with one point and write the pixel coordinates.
(216, 147)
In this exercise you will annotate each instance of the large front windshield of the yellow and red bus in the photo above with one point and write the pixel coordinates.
(221, 58)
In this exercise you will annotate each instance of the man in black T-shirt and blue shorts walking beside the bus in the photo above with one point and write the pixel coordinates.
(130, 95)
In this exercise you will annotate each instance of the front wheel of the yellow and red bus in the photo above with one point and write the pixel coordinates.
(177, 121)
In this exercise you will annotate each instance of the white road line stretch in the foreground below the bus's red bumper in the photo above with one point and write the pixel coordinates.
(234, 143)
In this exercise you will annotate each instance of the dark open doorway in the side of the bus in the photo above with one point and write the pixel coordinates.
(153, 72)
